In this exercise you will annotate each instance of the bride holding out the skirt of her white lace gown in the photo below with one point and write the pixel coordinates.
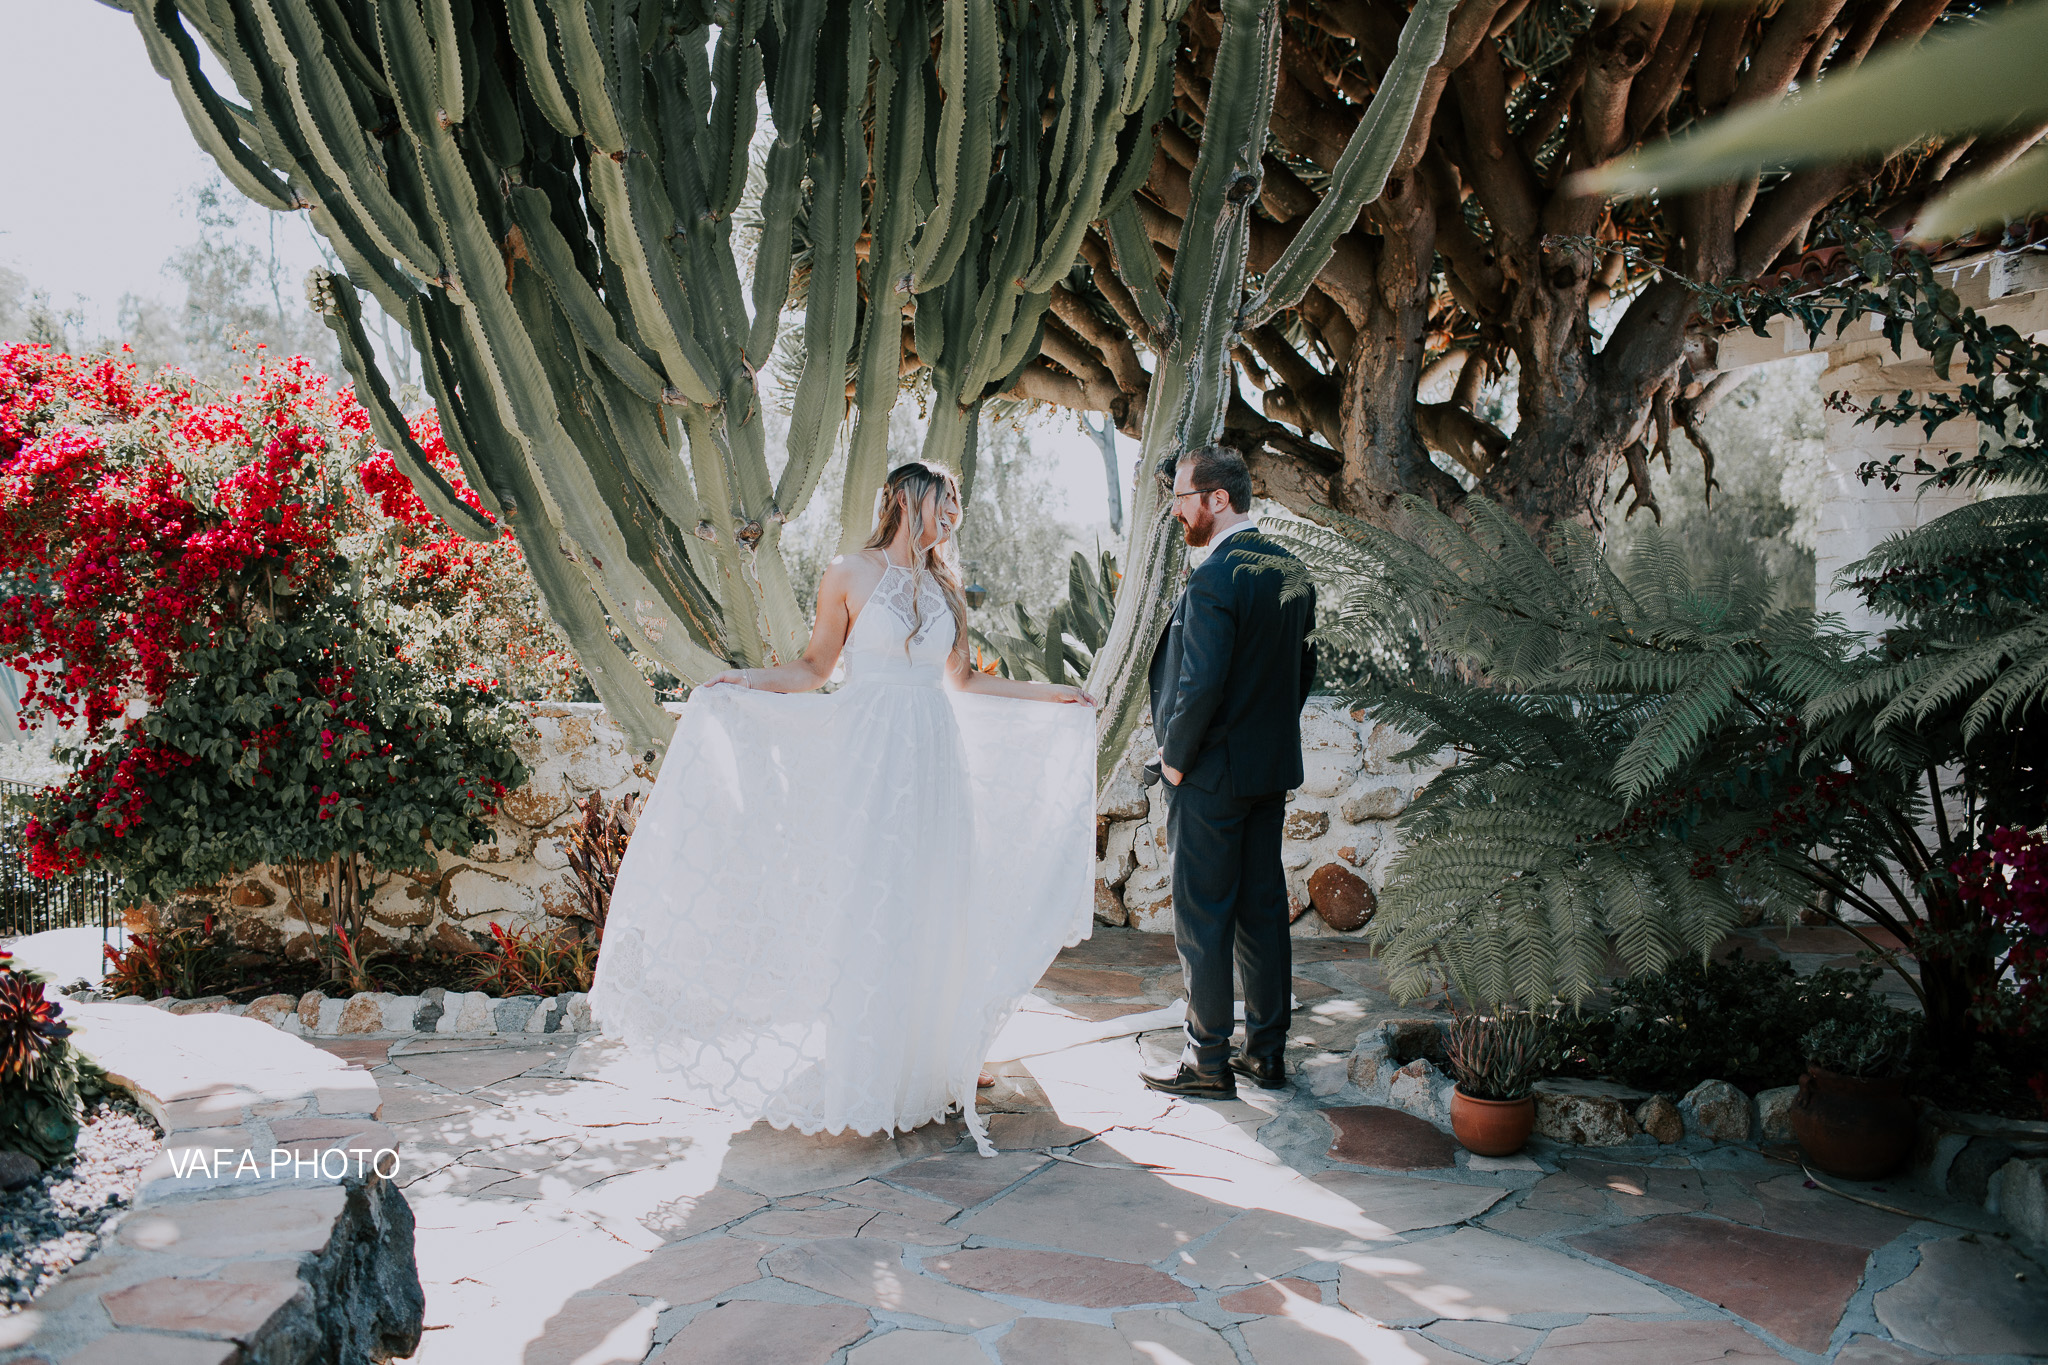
(835, 904)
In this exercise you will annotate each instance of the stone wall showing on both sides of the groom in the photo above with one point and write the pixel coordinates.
(1338, 828)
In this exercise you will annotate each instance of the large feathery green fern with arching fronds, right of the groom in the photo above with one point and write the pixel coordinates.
(1644, 754)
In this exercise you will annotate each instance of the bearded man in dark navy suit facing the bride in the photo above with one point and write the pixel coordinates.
(1228, 685)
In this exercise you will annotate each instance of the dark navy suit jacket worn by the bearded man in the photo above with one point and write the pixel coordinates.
(1232, 674)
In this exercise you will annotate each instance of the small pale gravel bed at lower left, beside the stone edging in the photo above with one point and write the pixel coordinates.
(56, 1223)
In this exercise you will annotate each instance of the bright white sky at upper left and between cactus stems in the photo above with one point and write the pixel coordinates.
(99, 173)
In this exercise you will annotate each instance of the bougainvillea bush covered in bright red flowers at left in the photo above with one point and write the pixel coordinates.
(263, 650)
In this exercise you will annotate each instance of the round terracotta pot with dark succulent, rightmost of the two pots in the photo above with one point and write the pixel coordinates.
(1852, 1116)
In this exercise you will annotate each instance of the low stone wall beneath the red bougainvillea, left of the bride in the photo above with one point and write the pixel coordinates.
(521, 879)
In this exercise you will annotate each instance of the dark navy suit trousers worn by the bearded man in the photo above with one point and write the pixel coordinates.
(1230, 904)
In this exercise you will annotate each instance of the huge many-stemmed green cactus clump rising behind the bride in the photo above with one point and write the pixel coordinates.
(542, 191)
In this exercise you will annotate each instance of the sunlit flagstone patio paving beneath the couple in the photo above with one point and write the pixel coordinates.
(572, 1213)
